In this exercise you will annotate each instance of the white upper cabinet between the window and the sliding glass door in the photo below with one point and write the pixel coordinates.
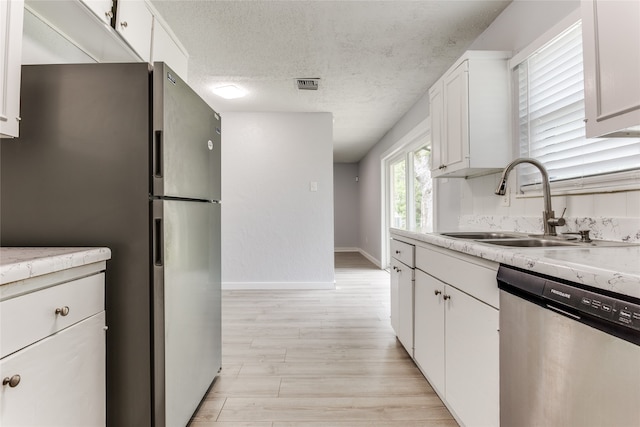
(469, 115)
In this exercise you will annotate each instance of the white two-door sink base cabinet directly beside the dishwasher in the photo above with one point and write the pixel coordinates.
(456, 333)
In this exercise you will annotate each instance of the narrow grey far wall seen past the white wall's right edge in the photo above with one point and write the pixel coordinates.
(346, 198)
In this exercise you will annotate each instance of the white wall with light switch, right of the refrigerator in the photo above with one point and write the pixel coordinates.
(276, 233)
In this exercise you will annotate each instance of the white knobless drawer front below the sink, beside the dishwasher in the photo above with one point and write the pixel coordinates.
(472, 275)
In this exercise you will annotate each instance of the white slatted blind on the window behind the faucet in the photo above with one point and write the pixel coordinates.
(550, 86)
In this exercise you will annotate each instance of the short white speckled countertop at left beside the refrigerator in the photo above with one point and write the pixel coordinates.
(24, 263)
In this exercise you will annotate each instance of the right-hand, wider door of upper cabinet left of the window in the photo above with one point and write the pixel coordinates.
(456, 118)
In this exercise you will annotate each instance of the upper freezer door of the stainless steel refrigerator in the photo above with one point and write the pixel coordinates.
(186, 140)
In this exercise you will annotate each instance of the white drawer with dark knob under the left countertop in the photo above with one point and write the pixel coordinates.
(32, 317)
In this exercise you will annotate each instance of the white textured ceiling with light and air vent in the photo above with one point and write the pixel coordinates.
(375, 59)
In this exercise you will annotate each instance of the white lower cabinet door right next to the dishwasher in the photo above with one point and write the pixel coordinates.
(472, 359)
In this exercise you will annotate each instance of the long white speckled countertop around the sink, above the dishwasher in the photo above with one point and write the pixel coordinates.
(615, 269)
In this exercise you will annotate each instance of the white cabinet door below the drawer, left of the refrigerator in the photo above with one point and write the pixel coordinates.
(62, 379)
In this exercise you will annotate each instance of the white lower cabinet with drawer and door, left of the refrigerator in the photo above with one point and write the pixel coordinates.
(53, 349)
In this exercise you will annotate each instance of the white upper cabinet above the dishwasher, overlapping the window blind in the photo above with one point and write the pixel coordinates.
(611, 43)
